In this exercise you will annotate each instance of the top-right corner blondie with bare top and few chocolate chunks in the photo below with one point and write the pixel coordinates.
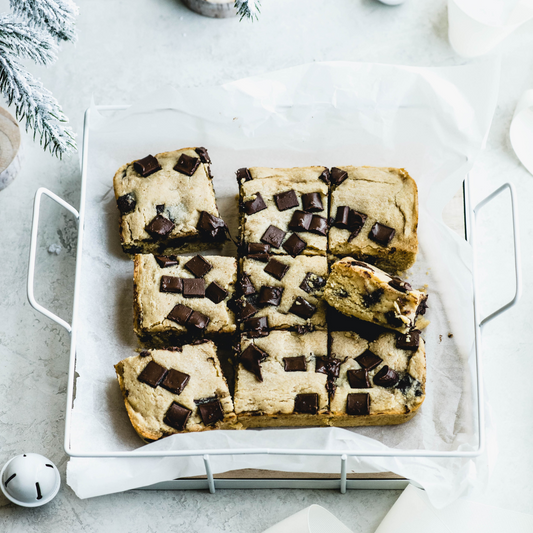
(374, 216)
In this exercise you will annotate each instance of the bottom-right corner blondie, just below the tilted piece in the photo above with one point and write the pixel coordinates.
(379, 382)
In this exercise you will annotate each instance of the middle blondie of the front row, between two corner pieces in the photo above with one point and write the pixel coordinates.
(280, 380)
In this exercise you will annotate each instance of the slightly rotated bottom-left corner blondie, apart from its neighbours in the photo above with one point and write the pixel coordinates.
(175, 390)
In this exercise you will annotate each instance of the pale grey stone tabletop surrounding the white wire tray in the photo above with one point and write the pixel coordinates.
(130, 48)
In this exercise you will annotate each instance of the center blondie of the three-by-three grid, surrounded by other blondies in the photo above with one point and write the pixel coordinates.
(282, 292)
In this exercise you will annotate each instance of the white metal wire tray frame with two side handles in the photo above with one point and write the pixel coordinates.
(342, 482)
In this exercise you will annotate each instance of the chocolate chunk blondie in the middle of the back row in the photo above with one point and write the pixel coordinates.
(285, 209)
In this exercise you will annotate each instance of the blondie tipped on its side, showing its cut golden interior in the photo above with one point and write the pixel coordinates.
(364, 291)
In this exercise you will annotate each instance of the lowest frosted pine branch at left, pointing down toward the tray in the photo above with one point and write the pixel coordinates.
(36, 104)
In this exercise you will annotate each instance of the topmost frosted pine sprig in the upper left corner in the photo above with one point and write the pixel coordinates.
(57, 17)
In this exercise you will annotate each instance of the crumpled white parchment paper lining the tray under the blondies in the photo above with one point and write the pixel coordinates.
(432, 122)
